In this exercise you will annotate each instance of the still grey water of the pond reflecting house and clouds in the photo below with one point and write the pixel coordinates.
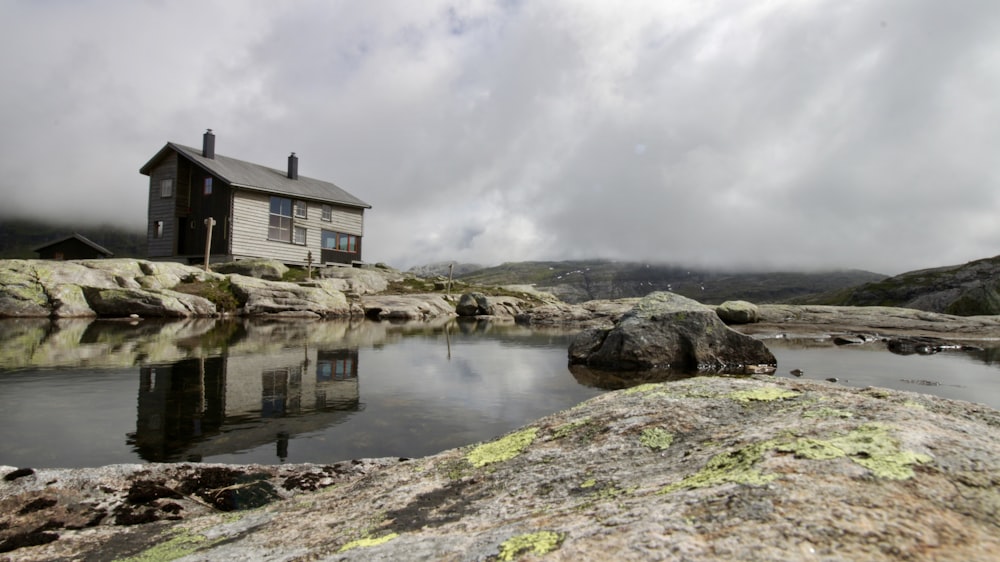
(79, 394)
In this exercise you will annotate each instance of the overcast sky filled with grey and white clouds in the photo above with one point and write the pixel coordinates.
(763, 134)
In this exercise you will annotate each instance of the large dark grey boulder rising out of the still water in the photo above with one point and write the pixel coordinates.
(670, 332)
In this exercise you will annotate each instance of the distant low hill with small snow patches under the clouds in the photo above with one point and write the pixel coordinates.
(578, 281)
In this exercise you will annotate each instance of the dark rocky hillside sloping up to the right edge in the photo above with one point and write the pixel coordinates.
(969, 289)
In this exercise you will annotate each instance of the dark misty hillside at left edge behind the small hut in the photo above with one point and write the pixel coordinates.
(19, 237)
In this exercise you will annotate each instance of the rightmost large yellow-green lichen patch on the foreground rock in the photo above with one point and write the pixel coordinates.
(870, 446)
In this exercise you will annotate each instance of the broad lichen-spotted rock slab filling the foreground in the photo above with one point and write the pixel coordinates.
(709, 468)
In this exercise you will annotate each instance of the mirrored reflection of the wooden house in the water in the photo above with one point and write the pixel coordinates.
(198, 408)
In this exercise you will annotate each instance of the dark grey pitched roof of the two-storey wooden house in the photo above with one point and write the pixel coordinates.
(247, 175)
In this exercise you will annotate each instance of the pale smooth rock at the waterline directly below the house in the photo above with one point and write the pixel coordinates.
(258, 297)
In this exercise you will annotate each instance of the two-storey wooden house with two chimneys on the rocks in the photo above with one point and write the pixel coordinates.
(259, 212)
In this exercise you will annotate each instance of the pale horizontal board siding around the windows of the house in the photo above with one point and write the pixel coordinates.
(249, 226)
